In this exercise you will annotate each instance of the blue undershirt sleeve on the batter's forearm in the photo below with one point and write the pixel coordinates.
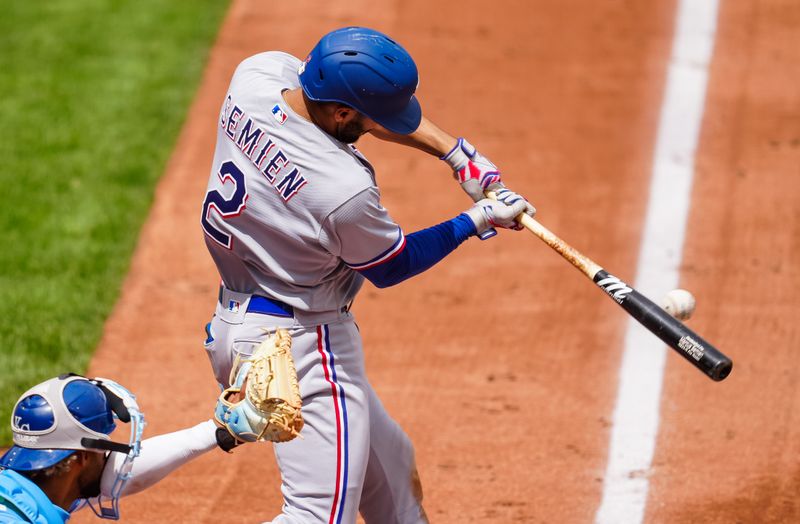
(423, 249)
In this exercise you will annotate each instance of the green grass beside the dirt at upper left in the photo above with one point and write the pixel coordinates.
(92, 96)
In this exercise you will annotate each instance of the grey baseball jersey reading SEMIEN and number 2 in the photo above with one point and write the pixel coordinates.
(290, 212)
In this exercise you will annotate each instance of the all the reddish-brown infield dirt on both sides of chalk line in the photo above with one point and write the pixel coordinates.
(501, 363)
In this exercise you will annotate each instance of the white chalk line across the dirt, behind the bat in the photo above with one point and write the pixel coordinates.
(635, 419)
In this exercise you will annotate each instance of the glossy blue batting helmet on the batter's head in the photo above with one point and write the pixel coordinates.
(368, 71)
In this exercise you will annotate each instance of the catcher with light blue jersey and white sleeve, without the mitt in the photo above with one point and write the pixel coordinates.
(63, 457)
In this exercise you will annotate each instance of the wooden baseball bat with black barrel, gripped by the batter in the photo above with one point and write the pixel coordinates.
(688, 344)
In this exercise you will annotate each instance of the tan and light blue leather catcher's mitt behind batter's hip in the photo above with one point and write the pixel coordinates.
(270, 409)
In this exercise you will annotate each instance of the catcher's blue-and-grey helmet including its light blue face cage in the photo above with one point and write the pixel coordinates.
(53, 419)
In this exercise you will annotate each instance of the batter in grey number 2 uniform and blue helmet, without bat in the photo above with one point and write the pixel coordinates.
(293, 219)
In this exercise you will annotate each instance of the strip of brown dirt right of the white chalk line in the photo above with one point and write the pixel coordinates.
(731, 451)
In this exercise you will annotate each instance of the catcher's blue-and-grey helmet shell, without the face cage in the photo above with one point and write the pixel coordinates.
(53, 419)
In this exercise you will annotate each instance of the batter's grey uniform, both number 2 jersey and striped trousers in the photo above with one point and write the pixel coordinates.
(291, 213)
